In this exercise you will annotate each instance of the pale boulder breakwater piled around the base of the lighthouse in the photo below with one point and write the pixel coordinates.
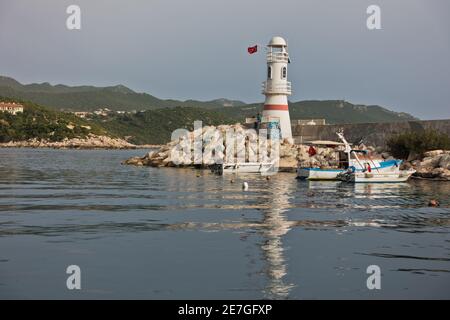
(290, 154)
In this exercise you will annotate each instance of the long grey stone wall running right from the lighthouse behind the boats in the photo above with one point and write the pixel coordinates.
(374, 134)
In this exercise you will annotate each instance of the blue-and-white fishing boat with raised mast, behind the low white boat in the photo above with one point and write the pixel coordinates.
(348, 158)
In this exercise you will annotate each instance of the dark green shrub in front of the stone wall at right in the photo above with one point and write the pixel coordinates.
(401, 145)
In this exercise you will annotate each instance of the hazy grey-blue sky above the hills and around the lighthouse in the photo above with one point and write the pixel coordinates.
(196, 49)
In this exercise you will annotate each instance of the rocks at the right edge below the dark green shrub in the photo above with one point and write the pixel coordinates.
(433, 164)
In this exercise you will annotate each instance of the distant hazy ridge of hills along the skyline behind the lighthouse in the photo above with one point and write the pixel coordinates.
(88, 98)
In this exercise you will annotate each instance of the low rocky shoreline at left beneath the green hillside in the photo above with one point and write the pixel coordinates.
(90, 142)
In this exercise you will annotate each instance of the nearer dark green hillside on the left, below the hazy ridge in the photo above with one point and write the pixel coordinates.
(148, 127)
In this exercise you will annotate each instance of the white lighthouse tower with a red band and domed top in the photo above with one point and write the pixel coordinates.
(276, 88)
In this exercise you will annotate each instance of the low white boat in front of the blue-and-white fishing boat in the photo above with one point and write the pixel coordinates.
(371, 177)
